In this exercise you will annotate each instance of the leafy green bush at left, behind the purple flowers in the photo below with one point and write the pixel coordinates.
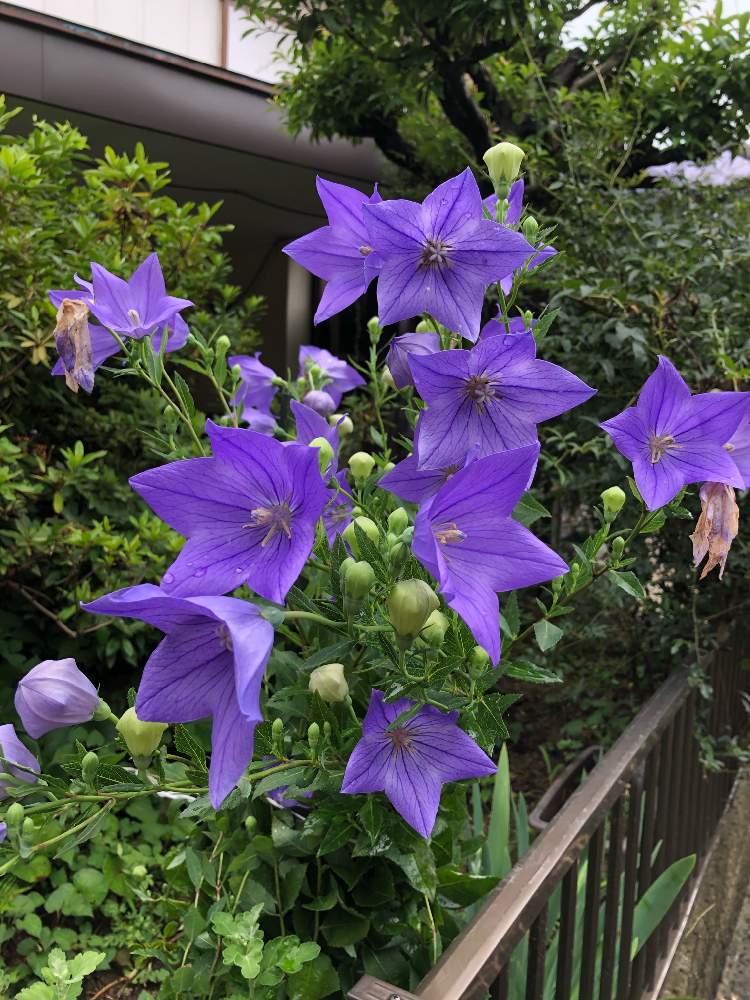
(67, 526)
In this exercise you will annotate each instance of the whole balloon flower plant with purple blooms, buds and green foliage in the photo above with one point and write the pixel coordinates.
(333, 610)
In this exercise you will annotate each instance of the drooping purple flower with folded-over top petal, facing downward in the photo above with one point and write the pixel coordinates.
(210, 663)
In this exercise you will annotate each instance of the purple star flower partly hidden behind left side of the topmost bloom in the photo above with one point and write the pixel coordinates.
(339, 253)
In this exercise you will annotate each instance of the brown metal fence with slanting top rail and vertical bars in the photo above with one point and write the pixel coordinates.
(560, 925)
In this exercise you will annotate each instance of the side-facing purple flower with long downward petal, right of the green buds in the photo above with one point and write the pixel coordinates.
(468, 540)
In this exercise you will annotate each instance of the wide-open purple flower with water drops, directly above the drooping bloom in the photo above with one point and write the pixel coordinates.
(249, 513)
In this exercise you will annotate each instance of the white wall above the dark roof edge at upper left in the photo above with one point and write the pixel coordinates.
(190, 28)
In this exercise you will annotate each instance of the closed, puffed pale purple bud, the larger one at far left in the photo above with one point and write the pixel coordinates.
(54, 693)
